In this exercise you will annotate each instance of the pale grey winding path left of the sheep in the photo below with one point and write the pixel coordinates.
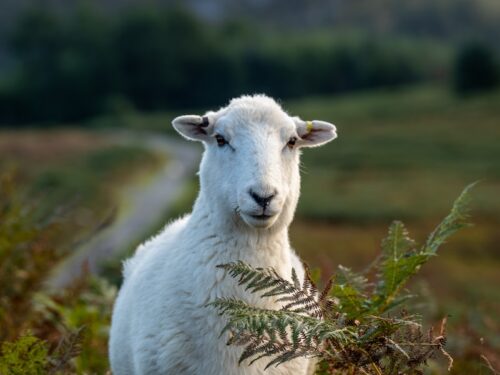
(142, 205)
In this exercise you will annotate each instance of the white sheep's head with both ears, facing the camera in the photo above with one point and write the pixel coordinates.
(250, 169)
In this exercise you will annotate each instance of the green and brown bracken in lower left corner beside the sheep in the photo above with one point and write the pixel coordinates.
(41, 332)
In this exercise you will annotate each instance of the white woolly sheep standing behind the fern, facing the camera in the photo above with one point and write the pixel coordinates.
(250, 182)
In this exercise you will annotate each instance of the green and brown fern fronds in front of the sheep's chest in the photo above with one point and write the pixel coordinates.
(350, 325)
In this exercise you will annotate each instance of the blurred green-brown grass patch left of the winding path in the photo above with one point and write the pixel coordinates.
(76, 171)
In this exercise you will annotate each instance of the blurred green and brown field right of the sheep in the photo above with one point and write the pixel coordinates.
(407, 155)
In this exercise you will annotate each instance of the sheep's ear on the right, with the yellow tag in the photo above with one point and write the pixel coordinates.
(314, 133)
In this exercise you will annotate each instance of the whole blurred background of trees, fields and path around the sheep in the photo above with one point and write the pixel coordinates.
(90, 166)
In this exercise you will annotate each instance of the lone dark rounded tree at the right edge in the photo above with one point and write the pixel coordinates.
(476, 68)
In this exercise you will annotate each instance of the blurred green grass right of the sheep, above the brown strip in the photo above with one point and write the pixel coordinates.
(400, 154)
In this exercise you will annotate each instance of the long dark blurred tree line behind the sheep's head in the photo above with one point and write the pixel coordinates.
(73, 66)
